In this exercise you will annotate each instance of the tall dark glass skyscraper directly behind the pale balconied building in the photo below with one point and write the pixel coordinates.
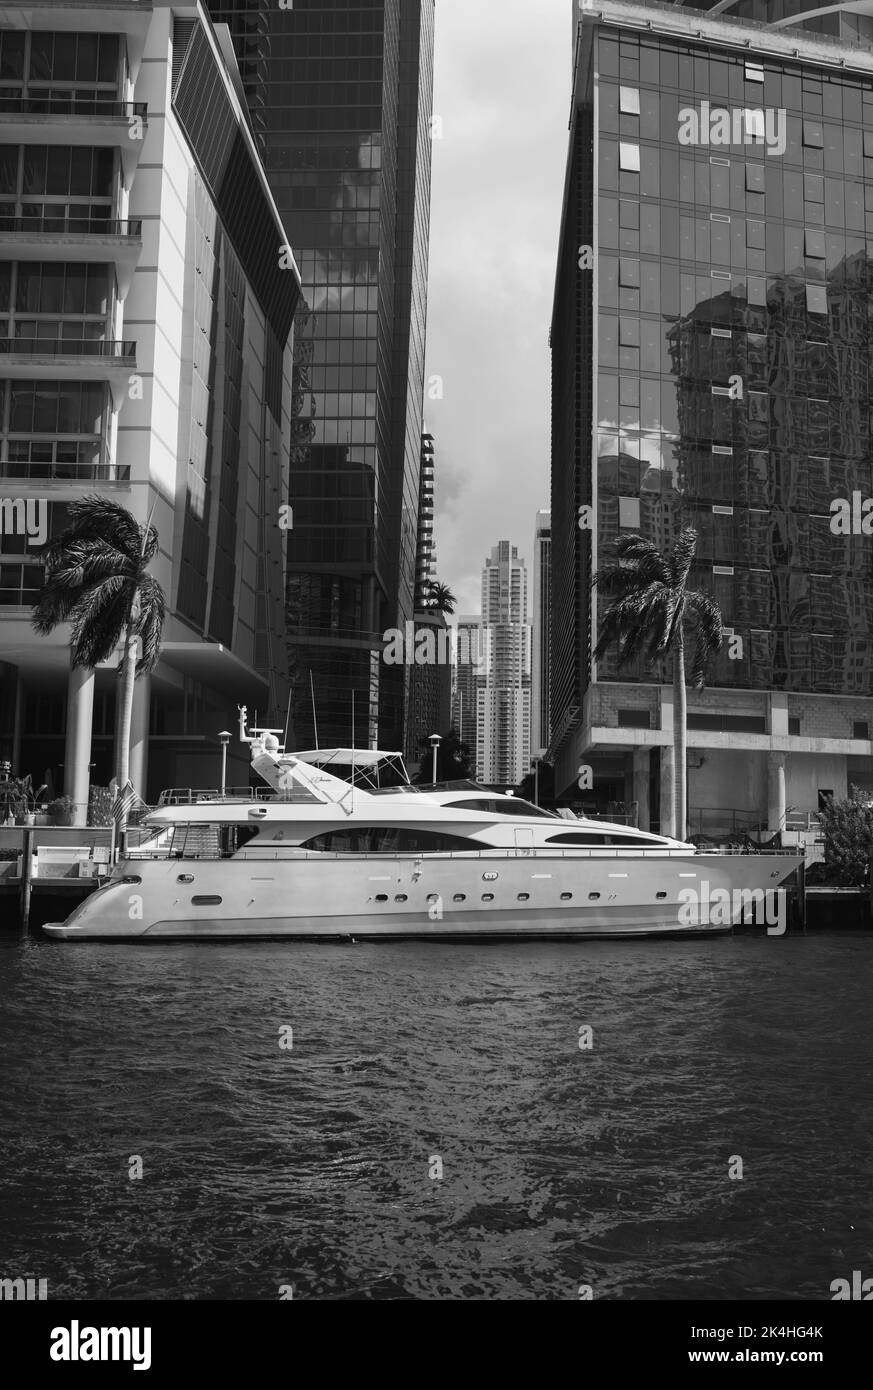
(343, 112)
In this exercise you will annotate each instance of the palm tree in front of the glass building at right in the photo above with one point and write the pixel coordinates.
(650, 619)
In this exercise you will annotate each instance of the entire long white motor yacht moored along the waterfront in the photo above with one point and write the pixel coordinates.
(341, 846)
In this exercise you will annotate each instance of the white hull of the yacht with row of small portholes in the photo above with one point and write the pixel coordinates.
(451, 897)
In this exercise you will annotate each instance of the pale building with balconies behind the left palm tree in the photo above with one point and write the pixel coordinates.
(148, 357)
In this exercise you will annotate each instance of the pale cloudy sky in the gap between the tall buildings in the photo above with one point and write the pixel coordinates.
(503, 90)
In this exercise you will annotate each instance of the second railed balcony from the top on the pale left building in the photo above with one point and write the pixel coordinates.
(74, 240)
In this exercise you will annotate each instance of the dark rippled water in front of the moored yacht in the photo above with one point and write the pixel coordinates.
(561, 1167)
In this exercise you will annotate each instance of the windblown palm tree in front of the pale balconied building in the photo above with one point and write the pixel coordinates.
(97, 579)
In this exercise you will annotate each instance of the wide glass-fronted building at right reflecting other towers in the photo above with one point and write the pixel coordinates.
(711, 351)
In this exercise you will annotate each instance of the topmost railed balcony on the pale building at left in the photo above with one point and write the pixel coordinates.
(76, 119)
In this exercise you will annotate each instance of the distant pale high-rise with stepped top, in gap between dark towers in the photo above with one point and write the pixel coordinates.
(504, 693)
